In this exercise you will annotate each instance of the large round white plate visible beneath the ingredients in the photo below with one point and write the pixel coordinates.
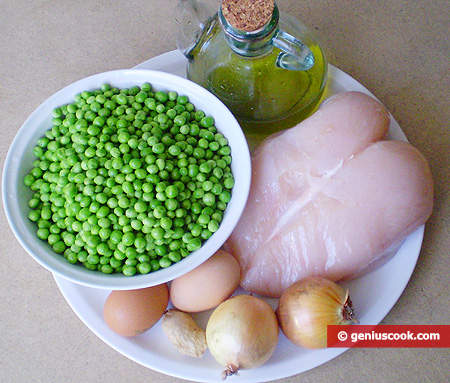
(373, 295)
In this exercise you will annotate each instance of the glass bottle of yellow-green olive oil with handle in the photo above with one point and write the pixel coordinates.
(271, 77)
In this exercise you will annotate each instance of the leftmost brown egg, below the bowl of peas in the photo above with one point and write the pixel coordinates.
(132, 312)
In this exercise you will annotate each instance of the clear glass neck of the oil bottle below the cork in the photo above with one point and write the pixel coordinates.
(254, 43)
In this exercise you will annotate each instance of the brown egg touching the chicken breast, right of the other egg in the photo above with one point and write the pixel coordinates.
(207, 285)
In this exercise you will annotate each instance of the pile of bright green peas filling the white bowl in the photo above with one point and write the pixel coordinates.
(129, 180)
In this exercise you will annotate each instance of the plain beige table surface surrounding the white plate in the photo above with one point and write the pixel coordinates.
(399, 49)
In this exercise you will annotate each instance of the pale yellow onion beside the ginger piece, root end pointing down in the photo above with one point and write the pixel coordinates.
(242, 333)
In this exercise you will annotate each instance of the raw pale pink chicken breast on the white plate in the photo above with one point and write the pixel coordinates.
(329, 197)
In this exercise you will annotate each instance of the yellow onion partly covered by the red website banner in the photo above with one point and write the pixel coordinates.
(307, 307)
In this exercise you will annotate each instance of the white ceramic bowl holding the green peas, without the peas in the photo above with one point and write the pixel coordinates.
(20, 158)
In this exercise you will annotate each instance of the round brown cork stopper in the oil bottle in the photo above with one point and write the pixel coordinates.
(247, 15)
